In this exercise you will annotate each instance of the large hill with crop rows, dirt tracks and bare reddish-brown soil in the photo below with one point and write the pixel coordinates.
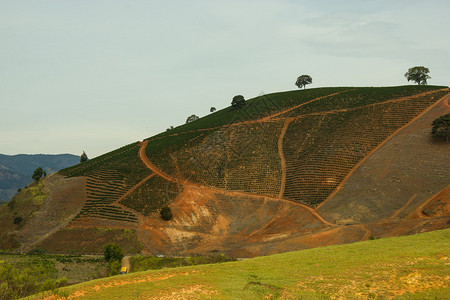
(290, 171)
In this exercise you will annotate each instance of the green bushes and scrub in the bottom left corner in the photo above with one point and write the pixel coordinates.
(23, 275)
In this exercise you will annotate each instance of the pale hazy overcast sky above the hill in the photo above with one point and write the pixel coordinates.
(90, 75)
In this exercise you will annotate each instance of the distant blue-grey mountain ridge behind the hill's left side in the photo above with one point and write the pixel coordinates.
(16, 170)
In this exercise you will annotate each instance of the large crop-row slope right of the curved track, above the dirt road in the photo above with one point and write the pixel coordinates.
(299, 149)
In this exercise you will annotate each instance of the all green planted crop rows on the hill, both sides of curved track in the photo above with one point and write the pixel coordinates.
(328, 131)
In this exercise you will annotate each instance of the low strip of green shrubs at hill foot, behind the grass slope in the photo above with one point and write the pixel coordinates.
(144, 263)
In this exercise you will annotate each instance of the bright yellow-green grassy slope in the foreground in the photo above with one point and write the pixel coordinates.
(416, 267)
